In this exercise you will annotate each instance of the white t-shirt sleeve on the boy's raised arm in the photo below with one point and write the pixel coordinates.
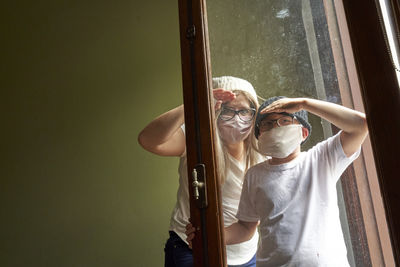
(331, 151)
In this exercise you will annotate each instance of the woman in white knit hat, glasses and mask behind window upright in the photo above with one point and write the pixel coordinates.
(236, 105)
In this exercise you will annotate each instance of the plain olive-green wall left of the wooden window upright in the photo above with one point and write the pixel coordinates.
(79, 80)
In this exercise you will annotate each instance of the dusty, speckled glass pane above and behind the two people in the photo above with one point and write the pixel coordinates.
(283, 47)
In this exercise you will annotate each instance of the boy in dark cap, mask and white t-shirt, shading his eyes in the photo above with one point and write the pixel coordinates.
(292, 195)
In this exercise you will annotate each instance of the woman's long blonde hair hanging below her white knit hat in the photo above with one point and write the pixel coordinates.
(252, 156)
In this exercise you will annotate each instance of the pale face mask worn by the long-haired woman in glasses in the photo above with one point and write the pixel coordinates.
(234, 130)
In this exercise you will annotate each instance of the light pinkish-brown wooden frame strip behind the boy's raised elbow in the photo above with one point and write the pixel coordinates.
(371, 246)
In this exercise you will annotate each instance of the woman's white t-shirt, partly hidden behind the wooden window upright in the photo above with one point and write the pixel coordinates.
(231, 190)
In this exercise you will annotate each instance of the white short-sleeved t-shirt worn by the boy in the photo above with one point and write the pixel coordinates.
(296, 204)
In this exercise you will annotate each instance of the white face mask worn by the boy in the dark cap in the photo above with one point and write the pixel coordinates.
(280, 142)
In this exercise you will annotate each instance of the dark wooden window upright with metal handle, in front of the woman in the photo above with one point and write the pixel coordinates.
(208, 244)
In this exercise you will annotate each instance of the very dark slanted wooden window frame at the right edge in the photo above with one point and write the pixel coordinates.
(381, 97)
